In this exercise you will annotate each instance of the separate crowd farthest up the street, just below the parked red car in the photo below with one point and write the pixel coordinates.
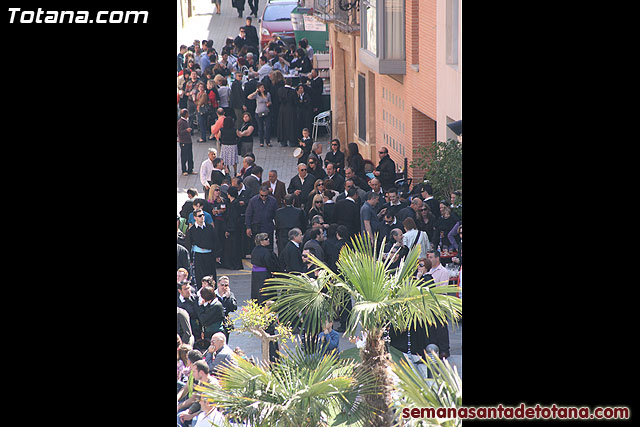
(242, 92)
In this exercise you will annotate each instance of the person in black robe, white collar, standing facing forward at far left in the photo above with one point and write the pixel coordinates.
(205, 247)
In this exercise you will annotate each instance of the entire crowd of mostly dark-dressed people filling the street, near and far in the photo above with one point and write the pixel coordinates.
(242, 212)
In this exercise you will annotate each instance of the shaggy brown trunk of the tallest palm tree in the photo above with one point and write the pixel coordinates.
(376, 359)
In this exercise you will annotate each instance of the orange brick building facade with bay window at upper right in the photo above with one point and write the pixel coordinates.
(385, 97)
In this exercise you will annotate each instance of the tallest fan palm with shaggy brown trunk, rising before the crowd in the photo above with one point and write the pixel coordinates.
(382, 298)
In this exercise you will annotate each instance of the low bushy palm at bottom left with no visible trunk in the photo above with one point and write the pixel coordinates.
(300, 389)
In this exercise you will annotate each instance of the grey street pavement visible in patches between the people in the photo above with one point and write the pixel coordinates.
(205, 25)
